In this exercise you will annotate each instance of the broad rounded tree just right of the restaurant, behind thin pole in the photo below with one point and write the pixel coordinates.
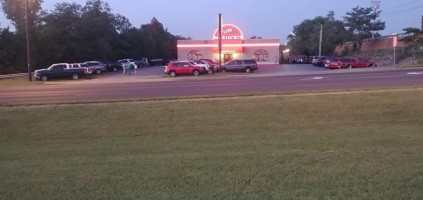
(304, 39)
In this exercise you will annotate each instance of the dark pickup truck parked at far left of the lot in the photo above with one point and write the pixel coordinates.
(60, 70)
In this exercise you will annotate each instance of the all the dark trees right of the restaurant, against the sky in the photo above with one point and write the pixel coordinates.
(358, 25)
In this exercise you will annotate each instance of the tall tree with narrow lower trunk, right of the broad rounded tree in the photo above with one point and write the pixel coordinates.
(361, 22)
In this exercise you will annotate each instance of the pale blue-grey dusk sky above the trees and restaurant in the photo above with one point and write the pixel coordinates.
(269, 19)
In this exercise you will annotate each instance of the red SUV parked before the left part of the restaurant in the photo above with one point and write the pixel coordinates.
(181, 67)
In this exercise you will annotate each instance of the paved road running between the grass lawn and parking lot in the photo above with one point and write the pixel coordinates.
(187, 86)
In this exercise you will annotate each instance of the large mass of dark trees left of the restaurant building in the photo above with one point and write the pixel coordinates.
(74, 33)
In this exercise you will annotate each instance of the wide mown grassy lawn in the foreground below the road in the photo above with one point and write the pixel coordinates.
(343, 146)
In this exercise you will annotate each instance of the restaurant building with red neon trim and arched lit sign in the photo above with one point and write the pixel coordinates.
(234, 46)
